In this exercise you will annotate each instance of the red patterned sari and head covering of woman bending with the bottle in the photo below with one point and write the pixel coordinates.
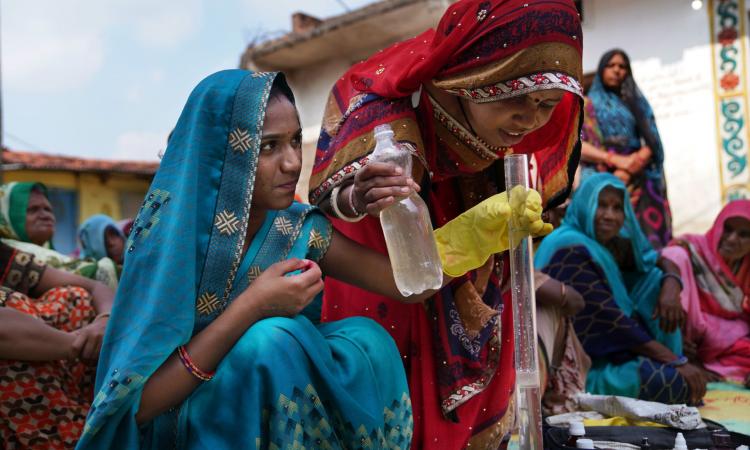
(481, 51)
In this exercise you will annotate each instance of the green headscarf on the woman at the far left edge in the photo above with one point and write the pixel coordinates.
(14, 201)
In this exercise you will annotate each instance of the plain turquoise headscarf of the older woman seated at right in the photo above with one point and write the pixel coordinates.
(578, 229)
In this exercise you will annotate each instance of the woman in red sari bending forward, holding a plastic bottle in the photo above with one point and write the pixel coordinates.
(494, 77)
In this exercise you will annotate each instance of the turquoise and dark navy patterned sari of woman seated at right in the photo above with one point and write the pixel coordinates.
(619, 302)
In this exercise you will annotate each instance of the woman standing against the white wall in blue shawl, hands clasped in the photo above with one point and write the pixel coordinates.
(620, 136)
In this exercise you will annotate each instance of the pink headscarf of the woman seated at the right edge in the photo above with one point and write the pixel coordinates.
(722, 292)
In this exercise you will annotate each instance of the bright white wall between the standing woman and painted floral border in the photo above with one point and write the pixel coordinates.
(669, 45)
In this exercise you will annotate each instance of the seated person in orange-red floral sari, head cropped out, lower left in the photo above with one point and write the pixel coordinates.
(51, 327)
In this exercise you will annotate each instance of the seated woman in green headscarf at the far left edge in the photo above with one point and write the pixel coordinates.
(27, 223)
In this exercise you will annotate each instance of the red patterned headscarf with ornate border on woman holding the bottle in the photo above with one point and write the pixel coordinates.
(482, 51)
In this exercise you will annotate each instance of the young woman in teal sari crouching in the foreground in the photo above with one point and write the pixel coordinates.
(219, 305)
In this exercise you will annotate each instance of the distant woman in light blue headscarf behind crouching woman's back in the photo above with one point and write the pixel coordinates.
(101, 238)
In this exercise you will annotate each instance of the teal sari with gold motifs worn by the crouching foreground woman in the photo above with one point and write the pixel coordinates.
(288, 382)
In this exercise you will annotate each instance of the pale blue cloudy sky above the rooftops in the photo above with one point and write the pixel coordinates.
(108, 78)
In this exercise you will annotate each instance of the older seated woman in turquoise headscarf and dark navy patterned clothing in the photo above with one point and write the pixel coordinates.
(629, 326)
